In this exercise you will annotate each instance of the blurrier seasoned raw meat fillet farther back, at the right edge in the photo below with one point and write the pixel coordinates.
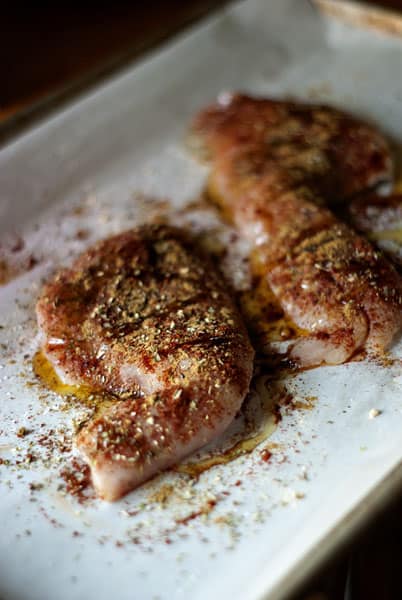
(272, 166)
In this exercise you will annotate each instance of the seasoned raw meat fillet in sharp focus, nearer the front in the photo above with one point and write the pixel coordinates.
(145, 317)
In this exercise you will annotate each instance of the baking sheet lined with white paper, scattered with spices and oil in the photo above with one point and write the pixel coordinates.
(249, 529)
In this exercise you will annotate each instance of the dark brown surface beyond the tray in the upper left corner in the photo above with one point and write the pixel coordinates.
(50, 48)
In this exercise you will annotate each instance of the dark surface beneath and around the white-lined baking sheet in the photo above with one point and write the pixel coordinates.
(48, 50)
